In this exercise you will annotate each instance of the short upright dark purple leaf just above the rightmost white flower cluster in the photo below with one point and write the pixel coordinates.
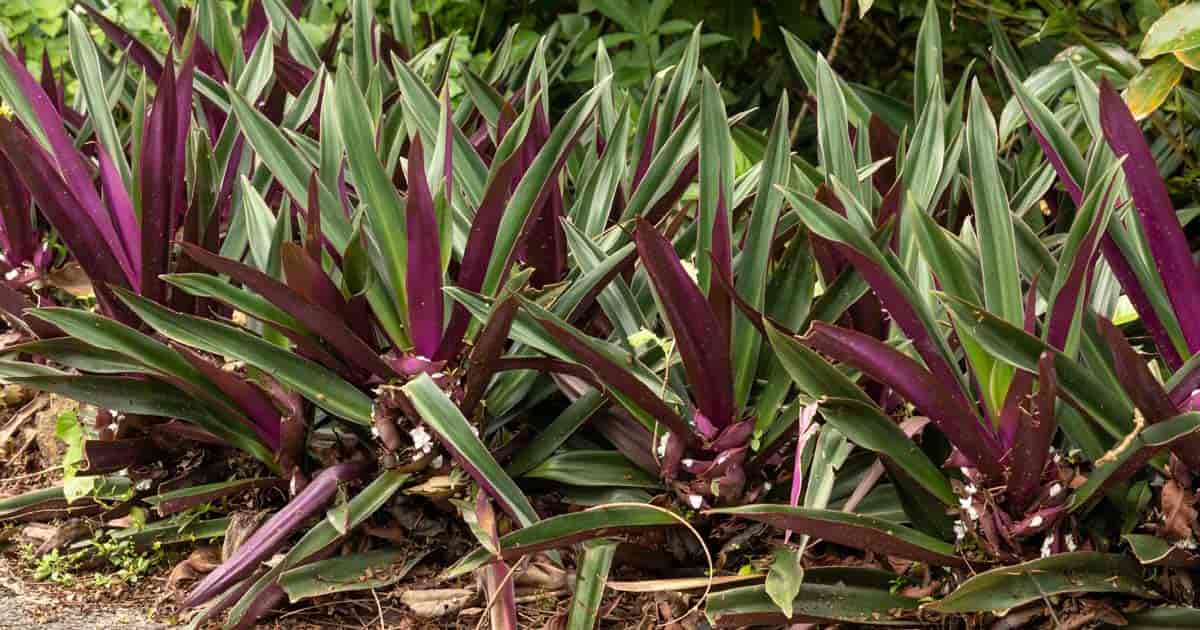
(1030, 451)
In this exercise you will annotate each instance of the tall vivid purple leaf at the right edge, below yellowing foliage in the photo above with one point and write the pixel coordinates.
(1168, 244)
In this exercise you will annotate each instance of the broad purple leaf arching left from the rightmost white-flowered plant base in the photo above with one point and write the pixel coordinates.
(915, 383)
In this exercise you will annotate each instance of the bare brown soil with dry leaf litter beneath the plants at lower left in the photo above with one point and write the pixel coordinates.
(29, 459)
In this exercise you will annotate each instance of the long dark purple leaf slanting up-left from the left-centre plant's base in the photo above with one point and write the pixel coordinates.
(316, 319)
